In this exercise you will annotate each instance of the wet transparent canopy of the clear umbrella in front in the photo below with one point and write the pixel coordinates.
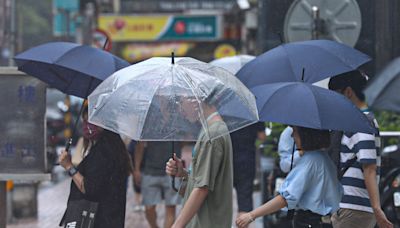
(167, 99)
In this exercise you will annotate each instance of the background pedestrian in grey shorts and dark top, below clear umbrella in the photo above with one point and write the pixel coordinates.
(154, 183)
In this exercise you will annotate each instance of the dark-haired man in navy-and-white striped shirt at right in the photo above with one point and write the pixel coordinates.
(360, 204)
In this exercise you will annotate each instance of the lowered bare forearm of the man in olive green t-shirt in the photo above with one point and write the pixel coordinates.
(192, 205)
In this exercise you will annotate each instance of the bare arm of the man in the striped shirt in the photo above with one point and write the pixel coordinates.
(373, 192)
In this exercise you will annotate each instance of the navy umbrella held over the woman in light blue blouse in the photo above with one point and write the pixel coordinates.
(305, 105)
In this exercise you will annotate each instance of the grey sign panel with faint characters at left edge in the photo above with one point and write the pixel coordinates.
(22, 145)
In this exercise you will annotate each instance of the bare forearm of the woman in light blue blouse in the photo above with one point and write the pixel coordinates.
(277, 203)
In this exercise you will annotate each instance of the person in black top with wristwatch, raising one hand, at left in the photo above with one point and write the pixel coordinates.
(100, 177)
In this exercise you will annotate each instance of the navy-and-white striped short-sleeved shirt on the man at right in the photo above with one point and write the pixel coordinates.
(366, 147)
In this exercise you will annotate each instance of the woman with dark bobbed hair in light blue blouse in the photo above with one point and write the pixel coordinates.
(311, 188)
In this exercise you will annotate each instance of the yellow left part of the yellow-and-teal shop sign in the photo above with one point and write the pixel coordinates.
(129, 28)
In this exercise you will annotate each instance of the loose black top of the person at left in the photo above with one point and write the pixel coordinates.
(104, 182)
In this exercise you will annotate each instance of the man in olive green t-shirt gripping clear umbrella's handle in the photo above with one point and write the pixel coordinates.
(208, 194)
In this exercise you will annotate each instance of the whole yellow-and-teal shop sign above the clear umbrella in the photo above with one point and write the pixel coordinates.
(161, 27)
